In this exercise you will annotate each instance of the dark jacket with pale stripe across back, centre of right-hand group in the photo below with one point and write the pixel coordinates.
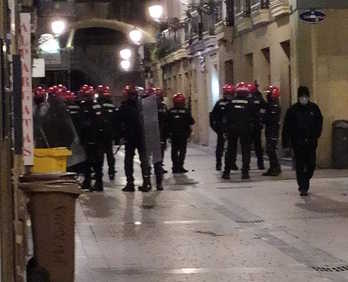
(240, 115)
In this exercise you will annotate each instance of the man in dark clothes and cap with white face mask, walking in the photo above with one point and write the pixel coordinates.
(302, 128)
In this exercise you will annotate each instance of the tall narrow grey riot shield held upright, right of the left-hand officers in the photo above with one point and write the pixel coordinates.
(149, 115)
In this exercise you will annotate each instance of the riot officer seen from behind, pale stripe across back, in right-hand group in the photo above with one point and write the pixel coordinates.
(240, 116)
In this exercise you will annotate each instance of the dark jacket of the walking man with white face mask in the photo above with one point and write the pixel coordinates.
(302, 125)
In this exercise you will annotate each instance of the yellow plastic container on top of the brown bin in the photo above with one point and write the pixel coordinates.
(50, 160)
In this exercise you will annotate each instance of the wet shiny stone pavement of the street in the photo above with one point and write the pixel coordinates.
(202, 228)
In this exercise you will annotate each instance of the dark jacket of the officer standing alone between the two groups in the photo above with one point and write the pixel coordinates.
(180, 121)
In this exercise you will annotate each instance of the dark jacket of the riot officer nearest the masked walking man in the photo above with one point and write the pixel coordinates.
(272, 120)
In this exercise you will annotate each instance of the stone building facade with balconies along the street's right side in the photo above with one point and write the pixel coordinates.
(215, 42)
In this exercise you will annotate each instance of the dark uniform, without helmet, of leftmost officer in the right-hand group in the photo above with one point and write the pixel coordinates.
(218, 124)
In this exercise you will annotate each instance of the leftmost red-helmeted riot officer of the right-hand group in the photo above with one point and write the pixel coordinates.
(218, 124)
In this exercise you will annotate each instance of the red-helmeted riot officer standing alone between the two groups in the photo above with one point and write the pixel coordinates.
(180, 121)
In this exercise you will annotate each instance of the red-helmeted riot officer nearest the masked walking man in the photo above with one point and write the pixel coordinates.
(272, 121)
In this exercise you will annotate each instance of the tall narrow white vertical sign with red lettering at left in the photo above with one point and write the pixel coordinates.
(27, 104)
